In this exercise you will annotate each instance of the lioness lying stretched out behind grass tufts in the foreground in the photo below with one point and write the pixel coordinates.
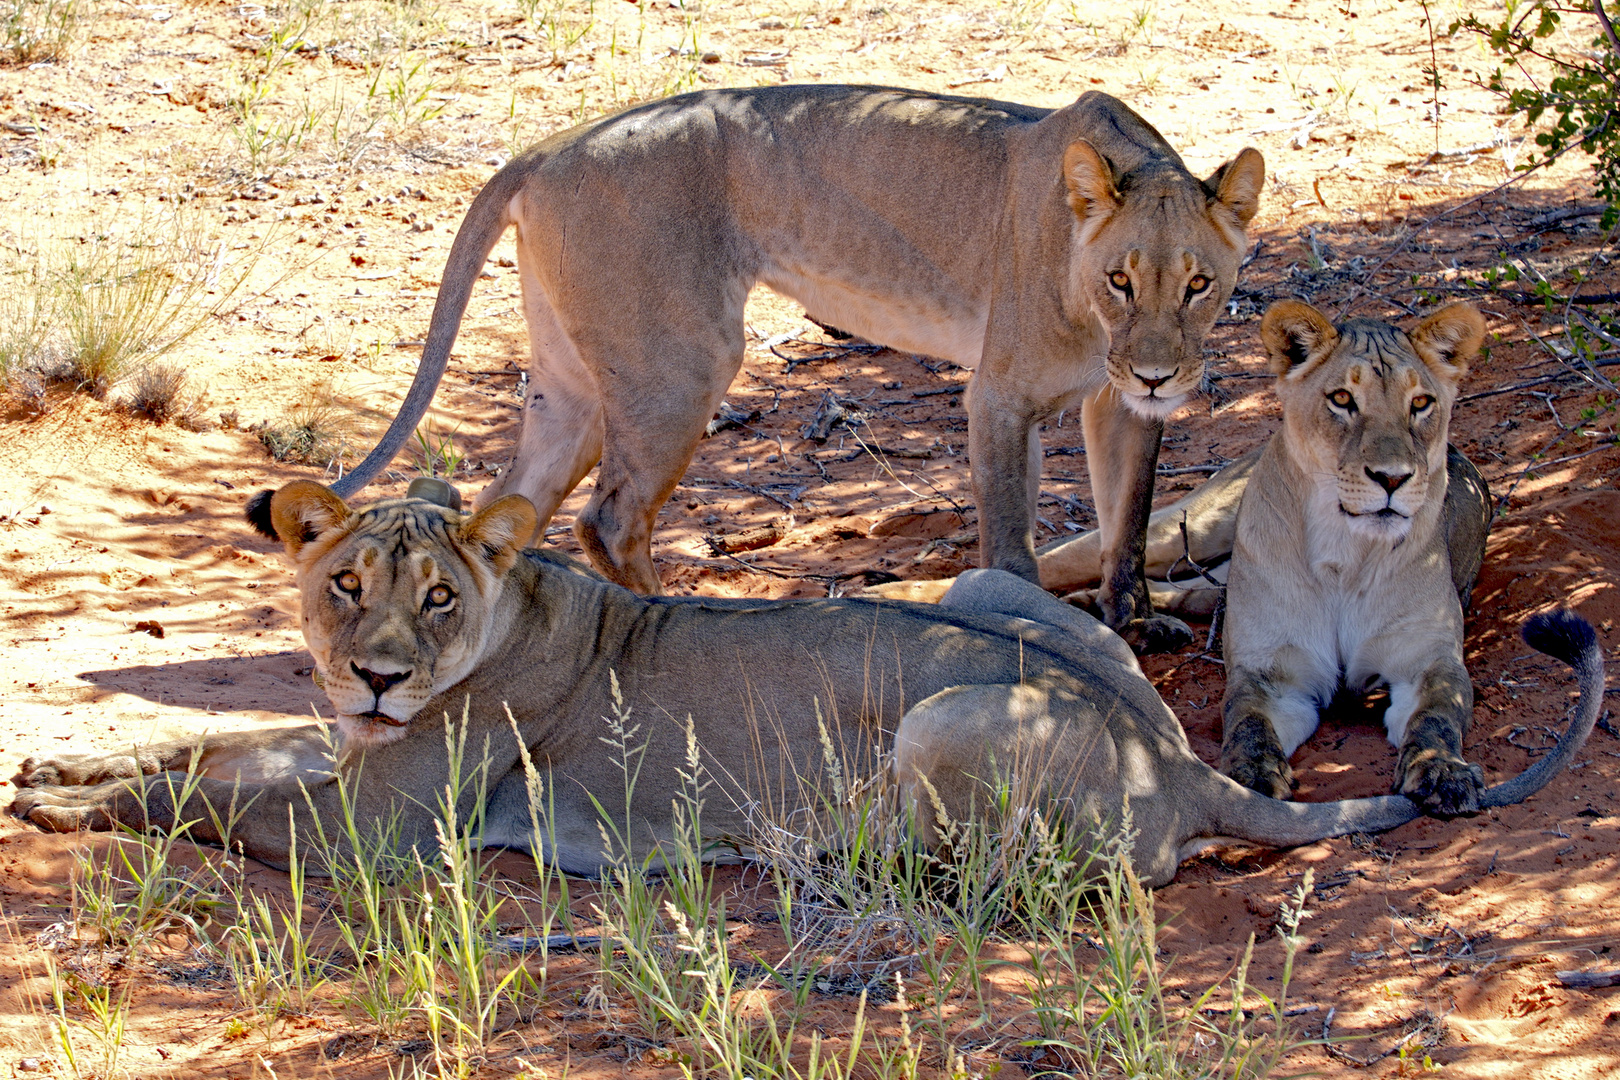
(414, 611)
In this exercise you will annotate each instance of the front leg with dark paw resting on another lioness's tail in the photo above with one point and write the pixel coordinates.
(1428, 721)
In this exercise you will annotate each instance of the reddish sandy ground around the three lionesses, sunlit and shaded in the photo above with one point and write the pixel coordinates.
(109, 522)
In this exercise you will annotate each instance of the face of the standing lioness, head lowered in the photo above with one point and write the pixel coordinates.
(1157, 263)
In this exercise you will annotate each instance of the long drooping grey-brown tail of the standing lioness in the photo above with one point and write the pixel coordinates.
(485, 221)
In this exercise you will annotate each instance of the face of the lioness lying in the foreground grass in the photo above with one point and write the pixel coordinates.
(399, 600)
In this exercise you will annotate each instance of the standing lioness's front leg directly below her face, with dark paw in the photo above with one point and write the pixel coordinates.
(1122, 456)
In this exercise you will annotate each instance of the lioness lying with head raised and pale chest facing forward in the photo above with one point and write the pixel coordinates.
(1354, 535)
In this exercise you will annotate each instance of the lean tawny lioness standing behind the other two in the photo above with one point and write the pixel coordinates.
(1065, 255)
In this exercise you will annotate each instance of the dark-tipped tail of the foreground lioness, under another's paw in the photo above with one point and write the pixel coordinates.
(1253, 817)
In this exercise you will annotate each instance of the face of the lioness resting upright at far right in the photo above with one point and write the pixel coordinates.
(1366, 407)
